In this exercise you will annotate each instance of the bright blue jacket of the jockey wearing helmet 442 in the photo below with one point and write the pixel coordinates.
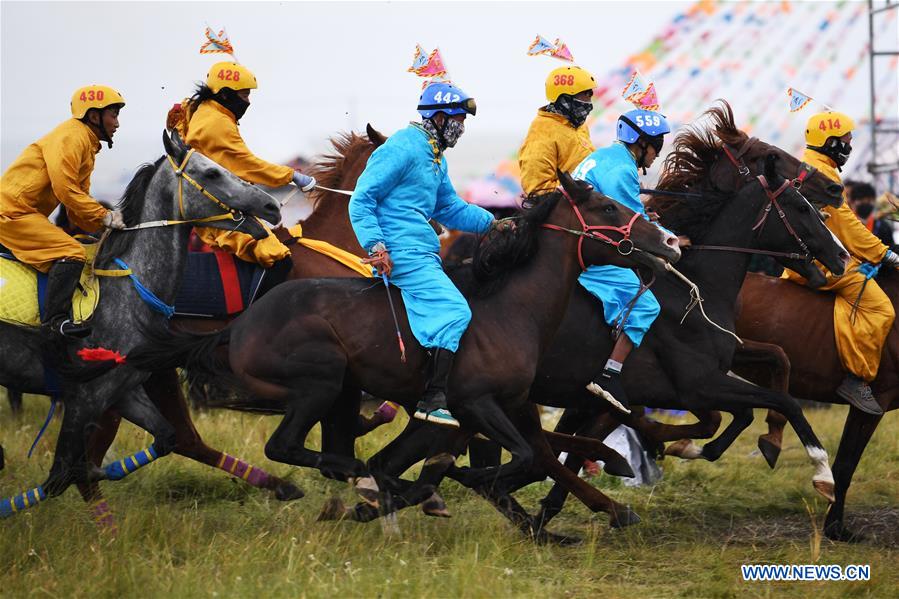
(404, 184)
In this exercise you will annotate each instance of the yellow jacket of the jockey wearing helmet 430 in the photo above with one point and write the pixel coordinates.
(55, 169)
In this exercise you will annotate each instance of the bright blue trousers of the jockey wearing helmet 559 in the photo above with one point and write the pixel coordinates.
(615, 287)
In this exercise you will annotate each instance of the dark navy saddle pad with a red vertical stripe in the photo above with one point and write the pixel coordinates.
(216, 285)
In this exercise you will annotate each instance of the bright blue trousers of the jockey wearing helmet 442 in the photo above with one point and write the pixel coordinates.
(438, 313)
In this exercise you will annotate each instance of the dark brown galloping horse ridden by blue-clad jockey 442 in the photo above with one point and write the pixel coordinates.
(316, 361)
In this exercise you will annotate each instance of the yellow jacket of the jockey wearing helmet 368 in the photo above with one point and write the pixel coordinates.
(551, 144)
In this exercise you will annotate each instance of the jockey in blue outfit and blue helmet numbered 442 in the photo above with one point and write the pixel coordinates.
(405, 184)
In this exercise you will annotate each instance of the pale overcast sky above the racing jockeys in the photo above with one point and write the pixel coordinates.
(322, 67)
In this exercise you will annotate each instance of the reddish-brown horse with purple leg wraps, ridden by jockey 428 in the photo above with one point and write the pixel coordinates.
(329, 221)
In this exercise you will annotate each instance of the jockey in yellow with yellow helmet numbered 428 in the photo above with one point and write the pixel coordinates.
(209, 124)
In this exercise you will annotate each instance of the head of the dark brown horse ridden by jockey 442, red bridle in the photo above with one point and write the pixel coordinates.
(612, 233)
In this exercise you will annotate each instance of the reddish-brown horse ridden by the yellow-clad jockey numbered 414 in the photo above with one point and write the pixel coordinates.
(802, 325)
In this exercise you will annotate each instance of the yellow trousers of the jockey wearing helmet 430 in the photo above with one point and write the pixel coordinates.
(37, 242)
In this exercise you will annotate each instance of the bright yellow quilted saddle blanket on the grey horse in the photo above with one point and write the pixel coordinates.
(19, 291)
